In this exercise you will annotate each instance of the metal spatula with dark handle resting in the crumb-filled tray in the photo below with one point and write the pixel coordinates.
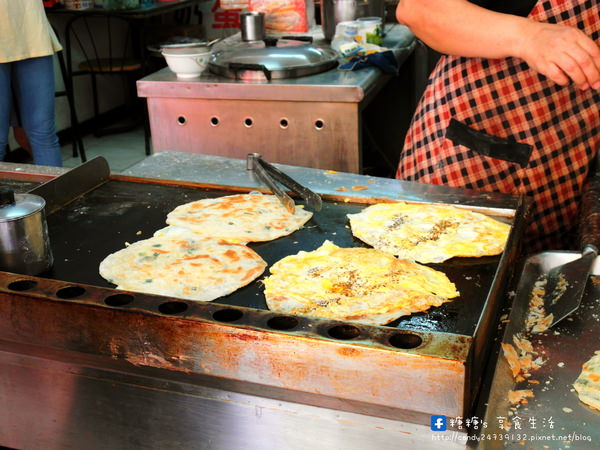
(566, 283)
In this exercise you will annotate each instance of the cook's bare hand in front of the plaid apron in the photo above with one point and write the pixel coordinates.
(563, 54)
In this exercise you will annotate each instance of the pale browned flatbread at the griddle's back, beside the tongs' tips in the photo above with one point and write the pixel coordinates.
(239, 218)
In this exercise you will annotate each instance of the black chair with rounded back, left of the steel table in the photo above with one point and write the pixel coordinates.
(106, 44)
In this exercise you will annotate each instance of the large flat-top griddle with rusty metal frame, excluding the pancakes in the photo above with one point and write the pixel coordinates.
(234, 342)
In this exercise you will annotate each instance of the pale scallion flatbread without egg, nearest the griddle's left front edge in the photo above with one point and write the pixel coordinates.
(177, 263)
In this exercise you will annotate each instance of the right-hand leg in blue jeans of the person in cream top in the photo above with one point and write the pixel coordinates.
(33, 80)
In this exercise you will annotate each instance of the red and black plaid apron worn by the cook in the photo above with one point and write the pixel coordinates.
(496, 125)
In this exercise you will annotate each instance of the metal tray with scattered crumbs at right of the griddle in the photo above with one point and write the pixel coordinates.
(554, 418)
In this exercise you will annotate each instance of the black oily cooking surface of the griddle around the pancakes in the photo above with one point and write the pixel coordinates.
(85, 231)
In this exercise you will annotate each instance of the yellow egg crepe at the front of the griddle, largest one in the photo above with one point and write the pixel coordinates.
(355, 284)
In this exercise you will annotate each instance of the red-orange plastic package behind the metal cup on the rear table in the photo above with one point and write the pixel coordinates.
(286, 16)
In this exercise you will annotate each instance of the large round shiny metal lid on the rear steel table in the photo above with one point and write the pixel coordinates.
(282, 58)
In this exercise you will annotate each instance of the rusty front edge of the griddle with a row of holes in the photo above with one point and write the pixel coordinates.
(363, 369)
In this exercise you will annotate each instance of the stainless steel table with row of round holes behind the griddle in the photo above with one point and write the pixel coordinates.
(314, 121)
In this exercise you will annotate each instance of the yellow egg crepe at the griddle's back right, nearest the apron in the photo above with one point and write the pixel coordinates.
(428, 233)
